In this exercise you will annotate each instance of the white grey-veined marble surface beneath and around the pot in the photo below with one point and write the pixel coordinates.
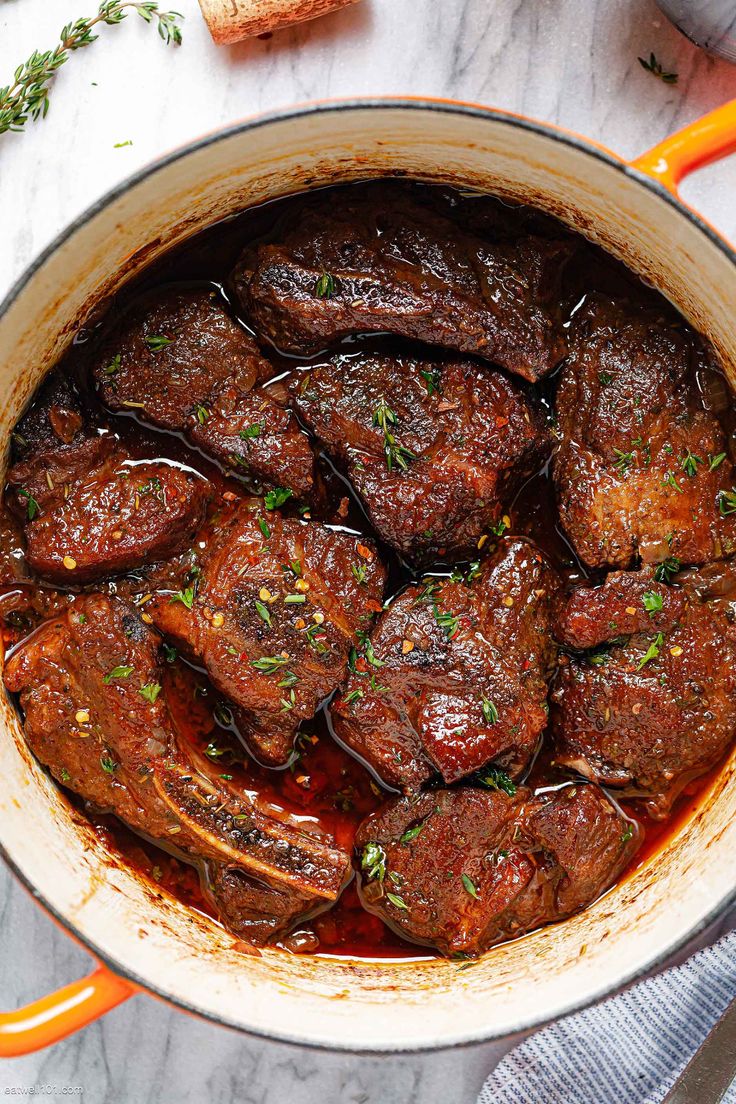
(572, 62)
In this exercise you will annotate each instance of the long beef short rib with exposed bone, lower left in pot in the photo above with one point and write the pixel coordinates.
(90, 685)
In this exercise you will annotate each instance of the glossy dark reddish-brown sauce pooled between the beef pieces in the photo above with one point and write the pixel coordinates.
(325, 782)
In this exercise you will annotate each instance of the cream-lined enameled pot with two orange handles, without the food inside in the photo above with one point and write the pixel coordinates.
(143, 939)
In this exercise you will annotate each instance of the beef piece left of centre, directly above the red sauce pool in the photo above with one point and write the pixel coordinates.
(279, 607)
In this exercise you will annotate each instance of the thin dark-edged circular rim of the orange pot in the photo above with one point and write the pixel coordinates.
(557, 133)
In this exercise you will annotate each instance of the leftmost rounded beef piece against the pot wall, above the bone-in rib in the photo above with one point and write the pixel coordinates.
(89, 509)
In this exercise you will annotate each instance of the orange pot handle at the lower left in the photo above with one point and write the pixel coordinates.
(61, 1014)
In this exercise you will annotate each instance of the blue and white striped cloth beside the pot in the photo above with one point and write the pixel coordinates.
(627, 1050)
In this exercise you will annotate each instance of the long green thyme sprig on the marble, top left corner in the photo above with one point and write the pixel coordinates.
(27, 97)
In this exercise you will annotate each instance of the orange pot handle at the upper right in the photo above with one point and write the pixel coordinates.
(703, 142)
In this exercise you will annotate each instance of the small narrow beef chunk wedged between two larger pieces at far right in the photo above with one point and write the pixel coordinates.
(627, 602)
